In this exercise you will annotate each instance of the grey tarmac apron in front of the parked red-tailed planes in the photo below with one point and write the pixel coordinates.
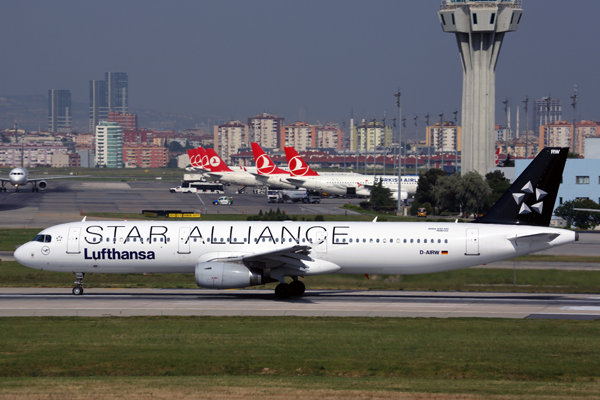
(63, 201)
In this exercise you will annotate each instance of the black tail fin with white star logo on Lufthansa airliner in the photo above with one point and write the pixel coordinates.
(530, 199)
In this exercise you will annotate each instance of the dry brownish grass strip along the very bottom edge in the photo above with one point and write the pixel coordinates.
(228, 387)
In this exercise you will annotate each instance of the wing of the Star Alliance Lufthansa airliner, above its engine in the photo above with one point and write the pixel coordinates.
(290, 257)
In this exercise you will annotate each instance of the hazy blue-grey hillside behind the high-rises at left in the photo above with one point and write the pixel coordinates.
(31, 113)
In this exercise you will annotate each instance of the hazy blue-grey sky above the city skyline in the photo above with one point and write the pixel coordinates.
(235, 59)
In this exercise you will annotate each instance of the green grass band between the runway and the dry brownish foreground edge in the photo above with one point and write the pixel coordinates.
(382, 348)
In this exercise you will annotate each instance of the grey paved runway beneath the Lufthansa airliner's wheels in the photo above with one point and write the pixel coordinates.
(315, 303)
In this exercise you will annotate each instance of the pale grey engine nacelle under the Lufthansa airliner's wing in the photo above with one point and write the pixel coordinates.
(221, 275)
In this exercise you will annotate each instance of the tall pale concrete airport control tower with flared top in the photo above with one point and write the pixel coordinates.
(479, 26)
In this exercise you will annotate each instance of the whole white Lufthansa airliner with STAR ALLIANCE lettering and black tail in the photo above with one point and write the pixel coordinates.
(240, 254)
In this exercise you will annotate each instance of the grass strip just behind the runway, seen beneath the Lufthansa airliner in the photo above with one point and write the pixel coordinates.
(13, 274)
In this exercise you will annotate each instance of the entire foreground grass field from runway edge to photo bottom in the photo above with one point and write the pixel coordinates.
(355, 357)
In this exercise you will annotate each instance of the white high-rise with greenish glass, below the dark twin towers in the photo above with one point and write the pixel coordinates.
(109, 145)
